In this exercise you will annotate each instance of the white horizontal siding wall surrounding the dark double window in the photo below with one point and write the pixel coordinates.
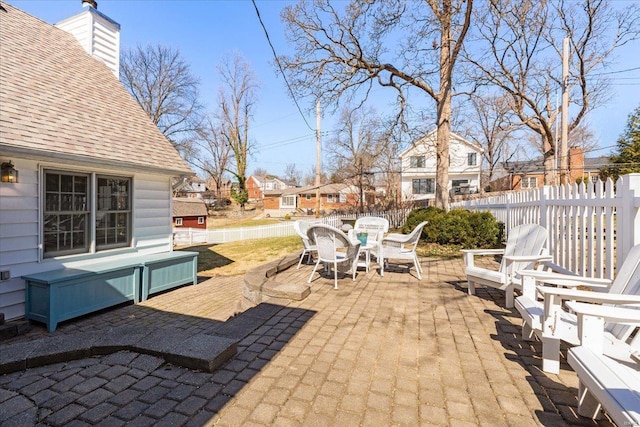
(20, 226)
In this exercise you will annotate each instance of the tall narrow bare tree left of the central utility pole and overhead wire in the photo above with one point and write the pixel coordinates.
(236, 99)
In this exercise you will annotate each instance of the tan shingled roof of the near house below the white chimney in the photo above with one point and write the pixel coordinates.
(58, 102)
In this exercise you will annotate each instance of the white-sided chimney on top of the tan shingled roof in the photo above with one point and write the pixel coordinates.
(98, 34)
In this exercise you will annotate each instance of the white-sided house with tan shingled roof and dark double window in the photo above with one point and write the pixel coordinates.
(95, 173)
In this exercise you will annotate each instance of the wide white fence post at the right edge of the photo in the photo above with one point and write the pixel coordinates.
(627, 218)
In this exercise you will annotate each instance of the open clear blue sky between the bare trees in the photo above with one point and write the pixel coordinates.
(205, 30)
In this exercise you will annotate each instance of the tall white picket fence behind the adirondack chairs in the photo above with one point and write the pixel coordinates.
(591, 226)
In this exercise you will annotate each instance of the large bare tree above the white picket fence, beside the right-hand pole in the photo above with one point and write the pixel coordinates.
(522, 45)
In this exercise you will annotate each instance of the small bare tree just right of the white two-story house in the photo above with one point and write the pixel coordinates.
(491, 127)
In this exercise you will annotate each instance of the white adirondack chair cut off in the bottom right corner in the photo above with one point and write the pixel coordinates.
(608, 370)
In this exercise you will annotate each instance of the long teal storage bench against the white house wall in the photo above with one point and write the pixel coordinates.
(58, 295)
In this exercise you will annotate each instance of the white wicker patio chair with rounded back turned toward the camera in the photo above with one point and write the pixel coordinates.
(334, 248)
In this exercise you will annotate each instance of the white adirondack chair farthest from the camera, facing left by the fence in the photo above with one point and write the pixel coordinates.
(526, 246)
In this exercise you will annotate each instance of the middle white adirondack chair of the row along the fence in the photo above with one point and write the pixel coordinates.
(547, 320)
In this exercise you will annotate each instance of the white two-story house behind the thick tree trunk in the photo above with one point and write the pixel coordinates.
(418, 174)
